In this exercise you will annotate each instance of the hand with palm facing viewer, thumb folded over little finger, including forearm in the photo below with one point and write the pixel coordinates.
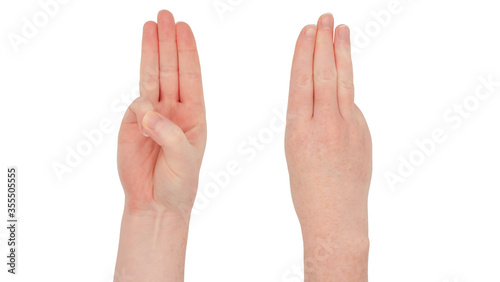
(160, 148)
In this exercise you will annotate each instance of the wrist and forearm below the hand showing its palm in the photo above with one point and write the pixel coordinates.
(152, 245)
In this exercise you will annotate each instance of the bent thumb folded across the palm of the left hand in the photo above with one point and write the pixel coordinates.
(167, 134)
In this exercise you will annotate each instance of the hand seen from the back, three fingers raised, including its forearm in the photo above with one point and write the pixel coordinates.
(328, 151)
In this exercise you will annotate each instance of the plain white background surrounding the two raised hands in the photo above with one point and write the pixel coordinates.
(82, 66)
